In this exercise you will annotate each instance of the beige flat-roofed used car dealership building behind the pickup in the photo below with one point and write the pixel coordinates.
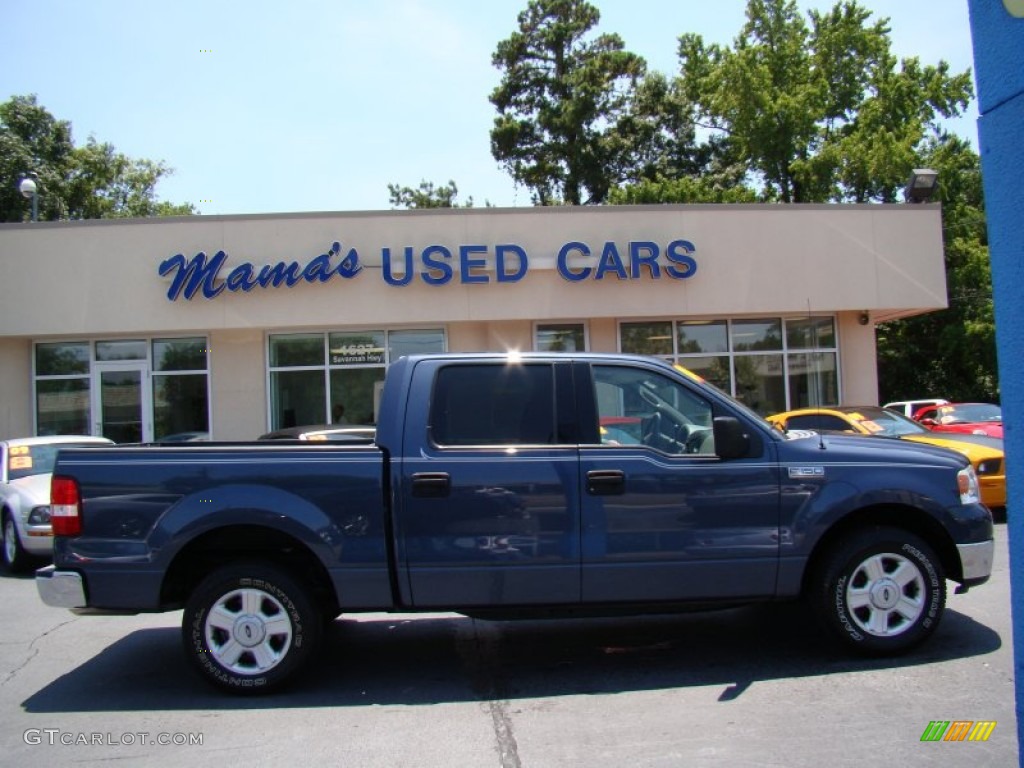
(234, 326)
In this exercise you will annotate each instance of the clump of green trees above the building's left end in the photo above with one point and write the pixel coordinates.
(75, 183)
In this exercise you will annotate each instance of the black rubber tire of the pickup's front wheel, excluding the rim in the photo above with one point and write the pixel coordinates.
(840, 617)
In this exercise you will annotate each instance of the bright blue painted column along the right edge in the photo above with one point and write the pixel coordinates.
(998, 30)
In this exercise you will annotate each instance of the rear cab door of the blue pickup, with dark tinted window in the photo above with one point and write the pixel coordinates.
(489, 502)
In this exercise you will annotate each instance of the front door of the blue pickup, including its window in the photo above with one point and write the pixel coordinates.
(665, 519)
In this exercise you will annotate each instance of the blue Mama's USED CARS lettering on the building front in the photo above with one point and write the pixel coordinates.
(435, 266)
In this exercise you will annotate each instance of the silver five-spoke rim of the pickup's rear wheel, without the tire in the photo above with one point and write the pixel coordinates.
(248, 631)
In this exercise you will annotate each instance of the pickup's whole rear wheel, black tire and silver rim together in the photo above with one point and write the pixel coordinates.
(250, 628)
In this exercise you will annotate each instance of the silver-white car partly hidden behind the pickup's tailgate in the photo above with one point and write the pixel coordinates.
(26, 464)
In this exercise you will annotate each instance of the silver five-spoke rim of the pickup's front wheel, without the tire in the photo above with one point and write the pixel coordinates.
(886, 595)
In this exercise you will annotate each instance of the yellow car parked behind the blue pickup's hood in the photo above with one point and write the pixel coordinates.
(986, 454)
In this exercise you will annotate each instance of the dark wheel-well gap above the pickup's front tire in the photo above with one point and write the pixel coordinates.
(888, 516)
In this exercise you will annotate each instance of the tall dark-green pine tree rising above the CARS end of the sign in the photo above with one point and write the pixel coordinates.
(565, 127)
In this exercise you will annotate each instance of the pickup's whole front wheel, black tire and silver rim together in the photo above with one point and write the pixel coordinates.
(882, 592)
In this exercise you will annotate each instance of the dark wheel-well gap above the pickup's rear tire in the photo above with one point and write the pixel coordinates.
(222, 546)
